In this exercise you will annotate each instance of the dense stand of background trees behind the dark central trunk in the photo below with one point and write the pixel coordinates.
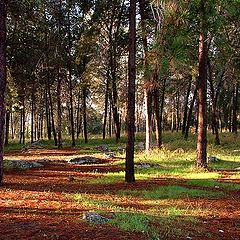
(68, 69)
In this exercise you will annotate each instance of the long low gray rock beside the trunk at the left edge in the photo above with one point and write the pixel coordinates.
(21, 164)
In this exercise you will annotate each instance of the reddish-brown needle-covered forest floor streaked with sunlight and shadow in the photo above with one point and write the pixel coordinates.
(38, 203)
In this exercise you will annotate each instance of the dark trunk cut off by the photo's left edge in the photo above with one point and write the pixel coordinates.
(3, 77)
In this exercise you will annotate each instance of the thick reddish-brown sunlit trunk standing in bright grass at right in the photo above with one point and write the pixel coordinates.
(202, 92)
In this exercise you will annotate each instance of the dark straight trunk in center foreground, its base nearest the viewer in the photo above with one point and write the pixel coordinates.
(129, 176)
